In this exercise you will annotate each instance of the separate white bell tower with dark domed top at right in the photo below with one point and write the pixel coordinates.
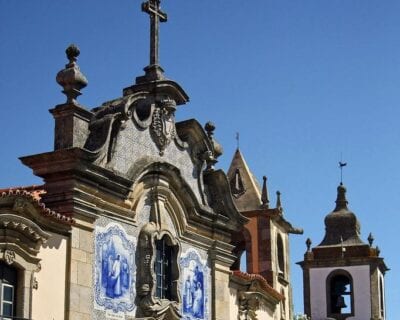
(343, 276)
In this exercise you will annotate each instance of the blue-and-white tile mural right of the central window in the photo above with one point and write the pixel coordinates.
(194, 286)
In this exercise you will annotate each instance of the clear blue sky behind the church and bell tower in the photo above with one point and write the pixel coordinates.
(302, 81)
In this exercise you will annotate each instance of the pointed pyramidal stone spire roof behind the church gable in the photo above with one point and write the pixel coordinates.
(244, 186)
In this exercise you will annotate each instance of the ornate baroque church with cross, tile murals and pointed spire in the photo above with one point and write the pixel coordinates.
(133, 221)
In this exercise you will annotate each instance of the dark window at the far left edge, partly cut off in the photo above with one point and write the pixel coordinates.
(8, 285)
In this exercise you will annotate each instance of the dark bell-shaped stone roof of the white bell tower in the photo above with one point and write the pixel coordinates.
(341, 225)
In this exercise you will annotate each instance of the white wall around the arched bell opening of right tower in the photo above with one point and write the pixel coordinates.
(361, 288)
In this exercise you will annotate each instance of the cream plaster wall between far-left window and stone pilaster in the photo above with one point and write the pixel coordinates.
(48, 301)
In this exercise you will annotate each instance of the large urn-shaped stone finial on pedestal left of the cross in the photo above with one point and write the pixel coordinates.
(71, 78)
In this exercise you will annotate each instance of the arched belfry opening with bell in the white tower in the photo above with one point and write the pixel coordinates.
(340, 294)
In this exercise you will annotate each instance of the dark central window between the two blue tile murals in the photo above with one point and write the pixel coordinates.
(162, 268)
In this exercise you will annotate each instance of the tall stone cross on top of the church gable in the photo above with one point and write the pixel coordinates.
(152, 7)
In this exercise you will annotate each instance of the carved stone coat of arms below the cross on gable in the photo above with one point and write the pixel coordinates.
(163, 124)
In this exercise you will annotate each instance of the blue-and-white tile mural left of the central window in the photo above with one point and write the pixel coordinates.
(115, 269)
